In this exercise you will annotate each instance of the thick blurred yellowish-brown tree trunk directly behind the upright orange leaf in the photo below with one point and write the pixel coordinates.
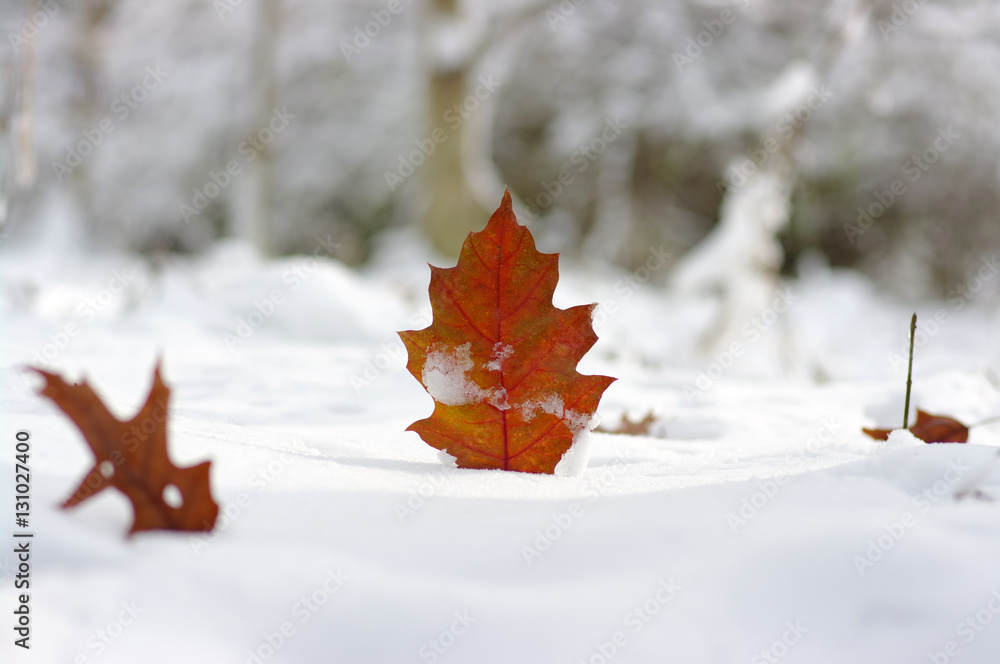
(452, 209)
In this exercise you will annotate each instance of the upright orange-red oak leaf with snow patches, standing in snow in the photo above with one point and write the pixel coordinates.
(500, 360)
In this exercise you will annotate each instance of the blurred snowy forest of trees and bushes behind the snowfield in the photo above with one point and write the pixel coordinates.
(842, 97)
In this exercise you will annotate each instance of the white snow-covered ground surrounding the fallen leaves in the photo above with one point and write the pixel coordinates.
(758, 524)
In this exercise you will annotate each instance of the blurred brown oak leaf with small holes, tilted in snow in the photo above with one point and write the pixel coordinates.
(132, 457)
